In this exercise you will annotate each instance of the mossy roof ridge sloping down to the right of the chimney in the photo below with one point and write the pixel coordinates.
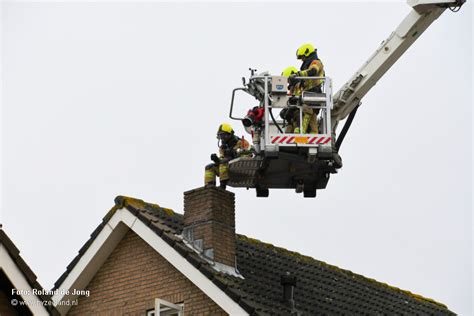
(308, 259)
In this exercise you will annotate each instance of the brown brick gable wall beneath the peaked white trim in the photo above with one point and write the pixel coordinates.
(132, 277)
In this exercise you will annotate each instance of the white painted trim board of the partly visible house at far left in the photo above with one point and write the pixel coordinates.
(19, 281)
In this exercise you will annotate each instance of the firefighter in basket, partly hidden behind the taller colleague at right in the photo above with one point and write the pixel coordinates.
(292, 115)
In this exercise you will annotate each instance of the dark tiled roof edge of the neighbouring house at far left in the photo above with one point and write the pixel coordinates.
(25, 270)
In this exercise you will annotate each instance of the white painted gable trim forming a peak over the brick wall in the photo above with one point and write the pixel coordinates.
(107, 240)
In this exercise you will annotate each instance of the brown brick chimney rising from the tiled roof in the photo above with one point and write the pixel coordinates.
(209, 223)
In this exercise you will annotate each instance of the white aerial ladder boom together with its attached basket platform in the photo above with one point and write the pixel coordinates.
(286, 156)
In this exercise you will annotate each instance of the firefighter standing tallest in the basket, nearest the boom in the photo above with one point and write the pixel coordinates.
(311, 67)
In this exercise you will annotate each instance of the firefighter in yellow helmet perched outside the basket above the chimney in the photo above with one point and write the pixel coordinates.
(230, 147)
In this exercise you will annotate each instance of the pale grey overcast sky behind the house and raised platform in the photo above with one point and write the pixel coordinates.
(105, 99)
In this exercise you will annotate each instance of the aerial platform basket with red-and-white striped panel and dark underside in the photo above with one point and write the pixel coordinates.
(286, 160)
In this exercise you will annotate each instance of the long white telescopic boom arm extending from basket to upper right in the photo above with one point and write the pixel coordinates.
(424, 12)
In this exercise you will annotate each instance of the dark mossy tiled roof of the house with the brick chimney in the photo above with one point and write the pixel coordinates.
(321, 289)
